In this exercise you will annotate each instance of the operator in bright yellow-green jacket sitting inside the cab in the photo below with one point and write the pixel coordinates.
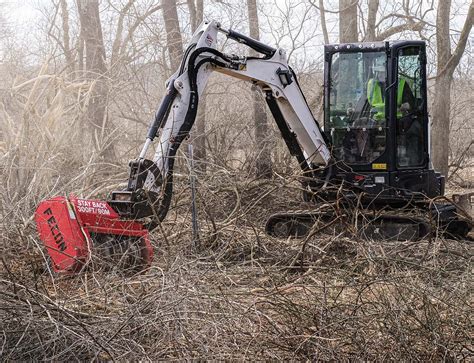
(376, 94)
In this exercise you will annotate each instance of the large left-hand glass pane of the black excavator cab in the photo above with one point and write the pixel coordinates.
(356, 115)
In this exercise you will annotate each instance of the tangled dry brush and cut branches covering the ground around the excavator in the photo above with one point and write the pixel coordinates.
(238, 295)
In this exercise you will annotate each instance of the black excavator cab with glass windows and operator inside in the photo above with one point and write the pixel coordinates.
(375, 115)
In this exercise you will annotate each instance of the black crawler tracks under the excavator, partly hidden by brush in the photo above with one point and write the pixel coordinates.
(412, 222)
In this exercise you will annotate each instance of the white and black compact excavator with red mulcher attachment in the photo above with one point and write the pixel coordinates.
(374, 150)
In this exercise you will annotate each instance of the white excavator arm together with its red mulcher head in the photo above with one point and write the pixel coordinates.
(71, 228)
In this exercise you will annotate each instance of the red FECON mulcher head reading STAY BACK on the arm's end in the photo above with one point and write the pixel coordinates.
(72, 228)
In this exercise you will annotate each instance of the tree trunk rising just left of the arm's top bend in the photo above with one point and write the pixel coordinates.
(174, 41)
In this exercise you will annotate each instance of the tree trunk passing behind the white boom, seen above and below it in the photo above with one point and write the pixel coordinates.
(264, 161)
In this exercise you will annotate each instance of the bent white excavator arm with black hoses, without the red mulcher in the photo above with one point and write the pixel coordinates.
(150, 184)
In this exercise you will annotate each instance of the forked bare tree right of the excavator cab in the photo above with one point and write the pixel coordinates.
(447, 63)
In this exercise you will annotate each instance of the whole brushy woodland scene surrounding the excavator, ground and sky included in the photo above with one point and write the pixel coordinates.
(80, 81)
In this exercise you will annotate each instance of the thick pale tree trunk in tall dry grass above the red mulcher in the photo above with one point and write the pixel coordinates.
(95, 70)
